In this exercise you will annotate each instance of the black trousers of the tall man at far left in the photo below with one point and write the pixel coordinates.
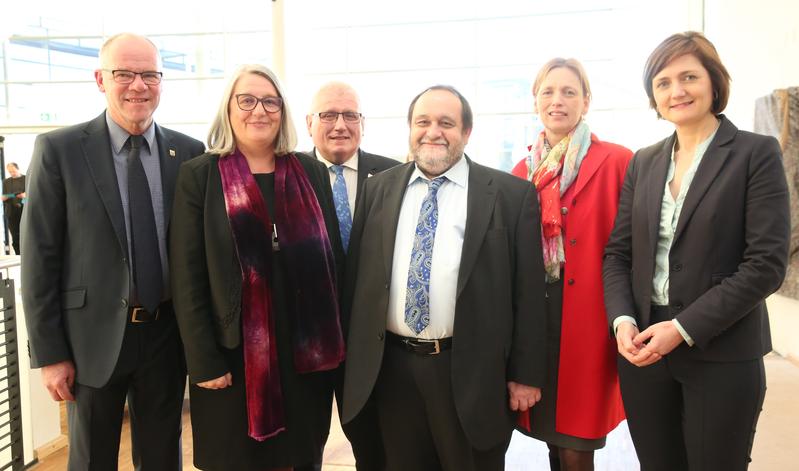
(151, 374)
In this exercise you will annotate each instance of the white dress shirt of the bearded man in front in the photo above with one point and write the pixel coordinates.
(446, 252)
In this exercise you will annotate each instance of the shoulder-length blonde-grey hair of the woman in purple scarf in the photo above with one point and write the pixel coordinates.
(220, 137)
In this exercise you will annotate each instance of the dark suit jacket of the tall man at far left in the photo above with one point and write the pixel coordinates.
(75, 274)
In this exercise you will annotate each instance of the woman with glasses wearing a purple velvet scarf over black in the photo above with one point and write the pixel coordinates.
(254, 285)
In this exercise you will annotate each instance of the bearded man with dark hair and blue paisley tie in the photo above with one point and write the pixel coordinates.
(445, 294)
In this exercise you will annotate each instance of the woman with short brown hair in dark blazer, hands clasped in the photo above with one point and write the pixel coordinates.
(700, 240)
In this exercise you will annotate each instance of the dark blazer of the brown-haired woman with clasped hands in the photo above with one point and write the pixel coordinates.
(730, 248)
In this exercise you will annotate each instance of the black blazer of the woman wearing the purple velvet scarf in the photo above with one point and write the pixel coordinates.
(206, 275)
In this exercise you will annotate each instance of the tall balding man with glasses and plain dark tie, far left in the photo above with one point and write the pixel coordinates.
(97, 301)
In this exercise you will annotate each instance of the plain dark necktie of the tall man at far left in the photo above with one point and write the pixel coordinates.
(146, 257)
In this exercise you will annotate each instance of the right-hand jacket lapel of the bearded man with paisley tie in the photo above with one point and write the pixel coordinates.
(482, 195)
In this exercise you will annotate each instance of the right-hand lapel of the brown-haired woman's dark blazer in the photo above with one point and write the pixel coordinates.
(711, 164)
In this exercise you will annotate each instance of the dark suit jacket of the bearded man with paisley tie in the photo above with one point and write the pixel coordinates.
(499, 331)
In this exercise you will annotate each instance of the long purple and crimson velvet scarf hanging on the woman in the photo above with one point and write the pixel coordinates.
(310, 283)
